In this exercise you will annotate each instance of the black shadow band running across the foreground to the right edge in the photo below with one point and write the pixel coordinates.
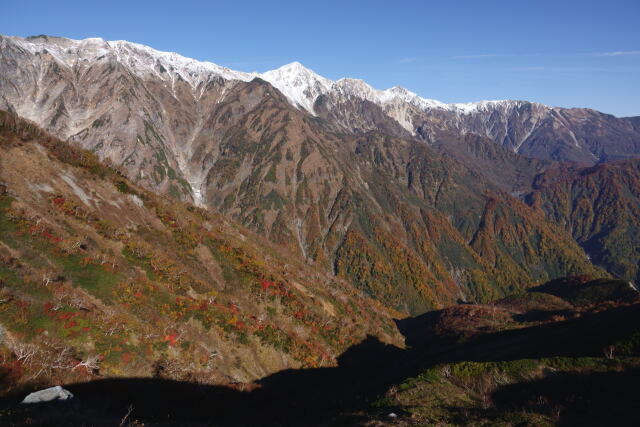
(317, 396)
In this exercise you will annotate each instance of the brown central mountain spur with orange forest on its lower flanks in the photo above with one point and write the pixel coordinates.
(407, 224)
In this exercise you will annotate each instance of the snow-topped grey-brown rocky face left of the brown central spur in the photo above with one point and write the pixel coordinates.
(142, 112)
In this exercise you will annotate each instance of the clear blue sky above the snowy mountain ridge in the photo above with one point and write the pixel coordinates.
(564, 53)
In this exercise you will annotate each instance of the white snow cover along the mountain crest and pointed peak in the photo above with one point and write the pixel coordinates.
(299, 84)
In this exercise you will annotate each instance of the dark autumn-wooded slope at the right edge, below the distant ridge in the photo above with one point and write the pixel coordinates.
(600, 207)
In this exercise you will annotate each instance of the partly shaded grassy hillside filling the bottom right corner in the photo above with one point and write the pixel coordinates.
(576, 361)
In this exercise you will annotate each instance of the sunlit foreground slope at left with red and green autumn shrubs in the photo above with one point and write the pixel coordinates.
(100, 278)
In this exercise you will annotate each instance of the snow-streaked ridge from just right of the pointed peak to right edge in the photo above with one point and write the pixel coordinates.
(527, 128)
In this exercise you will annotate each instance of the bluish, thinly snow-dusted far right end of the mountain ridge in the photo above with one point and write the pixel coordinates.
(570, 135)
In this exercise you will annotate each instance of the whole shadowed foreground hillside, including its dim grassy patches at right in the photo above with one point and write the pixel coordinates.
(531, 372)
